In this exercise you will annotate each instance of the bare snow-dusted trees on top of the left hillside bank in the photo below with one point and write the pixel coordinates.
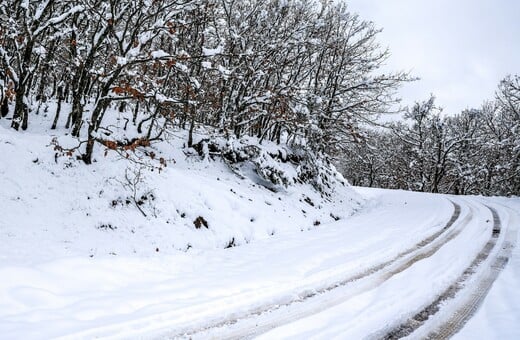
(295, 71)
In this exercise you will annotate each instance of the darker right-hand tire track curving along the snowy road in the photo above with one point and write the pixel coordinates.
(478, 291)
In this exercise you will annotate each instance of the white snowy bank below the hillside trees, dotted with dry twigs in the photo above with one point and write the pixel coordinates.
(53, 207)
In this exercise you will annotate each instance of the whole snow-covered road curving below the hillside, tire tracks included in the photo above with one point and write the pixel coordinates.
(379, 274)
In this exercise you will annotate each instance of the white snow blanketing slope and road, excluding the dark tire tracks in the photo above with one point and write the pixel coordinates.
(78, 262)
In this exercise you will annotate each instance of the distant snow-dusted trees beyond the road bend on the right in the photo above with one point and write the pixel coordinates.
(474, 152)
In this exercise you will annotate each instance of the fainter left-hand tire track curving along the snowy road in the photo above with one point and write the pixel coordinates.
(386, 270)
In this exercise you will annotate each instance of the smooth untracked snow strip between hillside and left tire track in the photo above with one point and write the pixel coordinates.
(122, 296)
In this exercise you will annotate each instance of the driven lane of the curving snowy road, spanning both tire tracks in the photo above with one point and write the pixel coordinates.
(440, 317)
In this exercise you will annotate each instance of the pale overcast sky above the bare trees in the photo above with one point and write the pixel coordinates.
(459, 48)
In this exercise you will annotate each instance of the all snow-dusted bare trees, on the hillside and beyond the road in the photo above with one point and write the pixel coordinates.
(298, 72)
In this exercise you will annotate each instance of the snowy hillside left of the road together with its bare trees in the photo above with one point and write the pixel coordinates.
(188, 123)
